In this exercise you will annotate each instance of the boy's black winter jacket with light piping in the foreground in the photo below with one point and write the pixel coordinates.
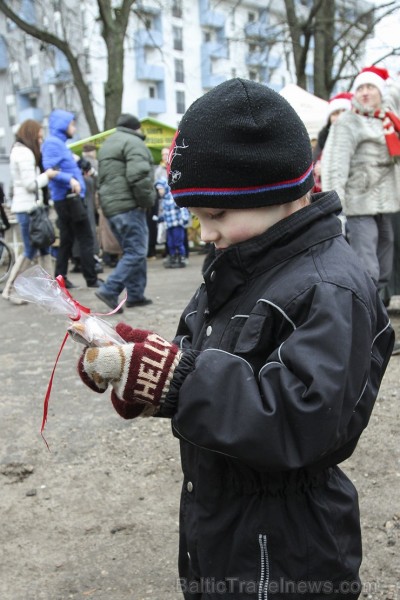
(286, 344)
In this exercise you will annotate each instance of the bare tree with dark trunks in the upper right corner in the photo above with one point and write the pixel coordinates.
(332, 34)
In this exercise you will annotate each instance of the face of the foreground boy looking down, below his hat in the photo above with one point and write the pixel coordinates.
(224, 227)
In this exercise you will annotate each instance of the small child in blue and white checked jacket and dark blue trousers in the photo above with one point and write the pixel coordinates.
(176, 219)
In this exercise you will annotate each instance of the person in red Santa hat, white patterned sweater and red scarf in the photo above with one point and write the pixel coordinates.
(361, 161)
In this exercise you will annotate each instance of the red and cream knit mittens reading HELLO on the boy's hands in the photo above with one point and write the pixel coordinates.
(140, 371)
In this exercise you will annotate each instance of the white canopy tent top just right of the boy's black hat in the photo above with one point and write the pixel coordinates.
(312, 110)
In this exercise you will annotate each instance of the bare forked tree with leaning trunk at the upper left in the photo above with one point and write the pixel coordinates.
(114, 22)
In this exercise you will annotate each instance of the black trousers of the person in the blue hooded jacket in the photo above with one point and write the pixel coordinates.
(80, 231)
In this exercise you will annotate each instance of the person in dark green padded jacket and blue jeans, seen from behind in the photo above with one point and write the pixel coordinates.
(126, 191)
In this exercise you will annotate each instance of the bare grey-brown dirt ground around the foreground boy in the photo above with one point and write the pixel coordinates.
(97, 516)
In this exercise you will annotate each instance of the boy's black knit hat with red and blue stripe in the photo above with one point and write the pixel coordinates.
(241, 145)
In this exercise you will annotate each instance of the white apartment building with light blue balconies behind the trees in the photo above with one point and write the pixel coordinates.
(175, 51)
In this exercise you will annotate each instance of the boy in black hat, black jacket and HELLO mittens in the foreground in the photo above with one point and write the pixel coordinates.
(276, 365)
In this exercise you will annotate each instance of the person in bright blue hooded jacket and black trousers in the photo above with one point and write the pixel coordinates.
(73, 221)
